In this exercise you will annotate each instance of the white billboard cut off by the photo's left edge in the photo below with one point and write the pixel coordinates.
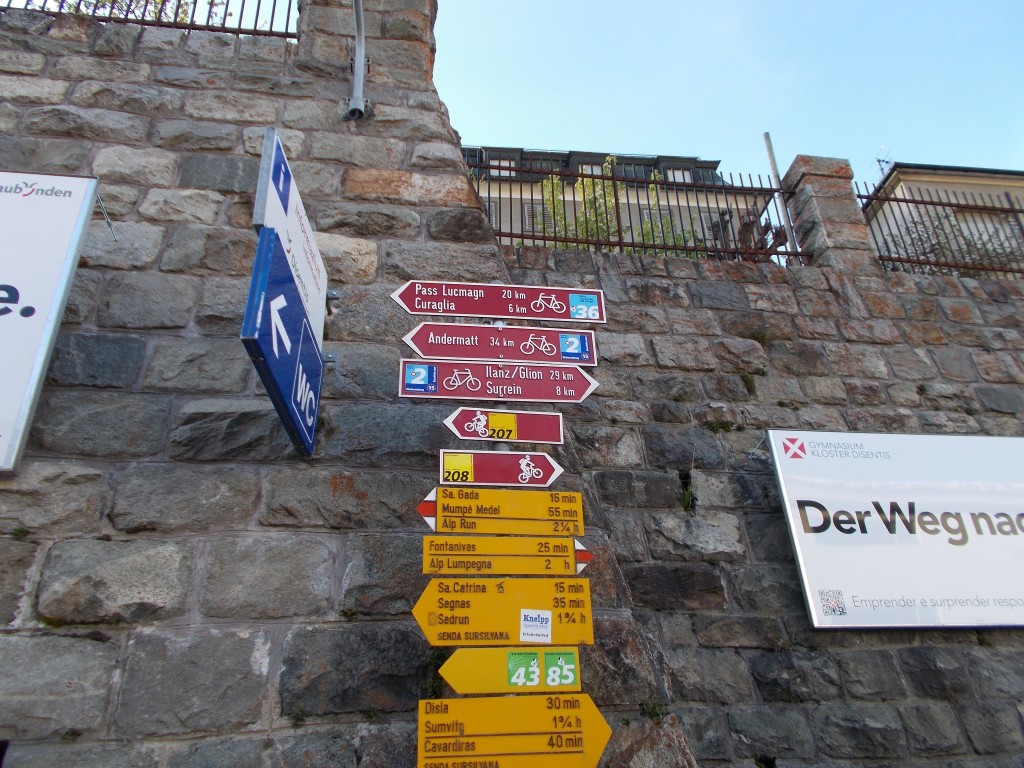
(42, 220)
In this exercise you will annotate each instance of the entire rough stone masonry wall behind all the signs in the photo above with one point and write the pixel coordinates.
(179, 589)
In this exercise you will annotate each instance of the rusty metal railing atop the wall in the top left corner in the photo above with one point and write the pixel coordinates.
(270, 18)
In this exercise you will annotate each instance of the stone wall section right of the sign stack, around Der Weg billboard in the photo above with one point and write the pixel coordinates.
(698, 361)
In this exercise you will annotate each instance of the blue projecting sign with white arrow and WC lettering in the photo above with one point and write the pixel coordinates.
(280, 340)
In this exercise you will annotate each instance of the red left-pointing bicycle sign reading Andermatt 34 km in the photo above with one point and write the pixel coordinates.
(505, 344)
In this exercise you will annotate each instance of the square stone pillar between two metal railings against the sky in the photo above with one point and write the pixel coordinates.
(829, 224)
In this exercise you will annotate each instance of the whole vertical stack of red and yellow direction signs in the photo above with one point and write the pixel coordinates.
(505, 364)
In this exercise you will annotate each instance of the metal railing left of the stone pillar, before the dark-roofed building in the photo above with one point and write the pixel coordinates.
(633, 209)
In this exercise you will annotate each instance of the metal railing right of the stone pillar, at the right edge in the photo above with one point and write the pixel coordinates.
(947, 233)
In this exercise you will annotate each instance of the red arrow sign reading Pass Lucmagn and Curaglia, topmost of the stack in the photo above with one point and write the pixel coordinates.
(487, 301)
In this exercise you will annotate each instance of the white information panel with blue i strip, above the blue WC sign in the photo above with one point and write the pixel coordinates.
(279, 206)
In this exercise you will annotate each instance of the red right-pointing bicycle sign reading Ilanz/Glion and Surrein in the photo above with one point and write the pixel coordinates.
(468, 380)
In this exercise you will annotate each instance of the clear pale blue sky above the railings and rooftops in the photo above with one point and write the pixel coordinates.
(916, 81)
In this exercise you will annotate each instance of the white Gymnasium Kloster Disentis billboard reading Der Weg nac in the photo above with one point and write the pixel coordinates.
(906, 531)
